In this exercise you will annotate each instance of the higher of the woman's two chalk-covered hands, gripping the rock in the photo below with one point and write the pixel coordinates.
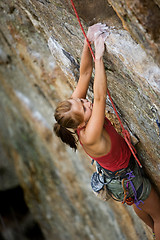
(96, 30)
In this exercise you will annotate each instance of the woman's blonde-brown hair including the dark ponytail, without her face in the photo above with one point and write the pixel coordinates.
(67, 119)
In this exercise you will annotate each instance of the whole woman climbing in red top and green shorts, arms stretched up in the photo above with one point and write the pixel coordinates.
(77, 117)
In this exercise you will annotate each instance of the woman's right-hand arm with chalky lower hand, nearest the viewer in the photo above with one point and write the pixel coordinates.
(93, 131)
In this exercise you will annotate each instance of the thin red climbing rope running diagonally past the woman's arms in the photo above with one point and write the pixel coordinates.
(124, 131)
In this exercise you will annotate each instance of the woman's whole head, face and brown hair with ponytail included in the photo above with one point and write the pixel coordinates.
(72, 114)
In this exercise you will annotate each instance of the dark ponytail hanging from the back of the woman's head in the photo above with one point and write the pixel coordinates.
(66, 135)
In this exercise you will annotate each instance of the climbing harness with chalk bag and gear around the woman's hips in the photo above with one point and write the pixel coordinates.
(103, 177)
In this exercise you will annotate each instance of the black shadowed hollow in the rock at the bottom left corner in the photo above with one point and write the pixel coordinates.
(15, 218)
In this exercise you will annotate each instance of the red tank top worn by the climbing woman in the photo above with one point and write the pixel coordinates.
(119, 155)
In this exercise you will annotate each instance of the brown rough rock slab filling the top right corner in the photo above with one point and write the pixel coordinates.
(142, 19)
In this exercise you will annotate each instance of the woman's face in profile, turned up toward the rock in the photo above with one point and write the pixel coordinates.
(82, 106)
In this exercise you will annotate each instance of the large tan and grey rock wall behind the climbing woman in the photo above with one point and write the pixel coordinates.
(56, 182)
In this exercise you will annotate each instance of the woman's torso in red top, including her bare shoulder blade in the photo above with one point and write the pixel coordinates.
(113, 152)
